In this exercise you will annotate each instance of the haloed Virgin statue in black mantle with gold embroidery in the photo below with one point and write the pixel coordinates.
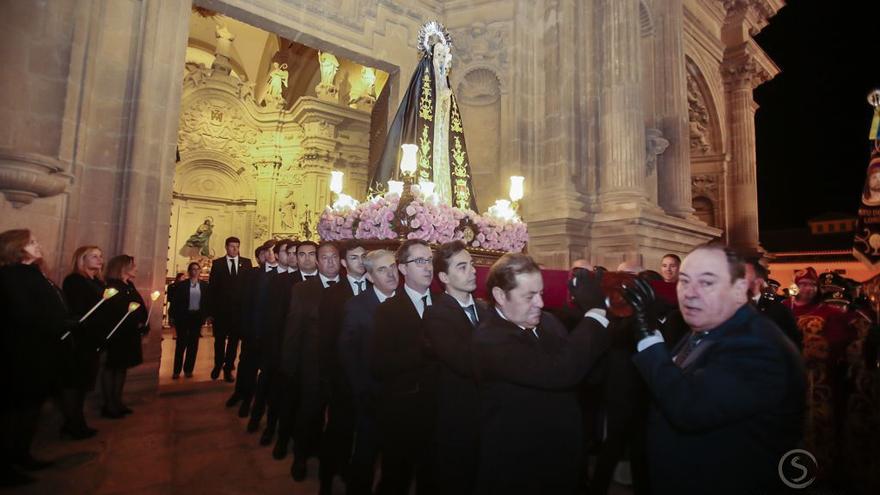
(428, 117)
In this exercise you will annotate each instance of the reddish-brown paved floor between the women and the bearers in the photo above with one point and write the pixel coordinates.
(184, 441)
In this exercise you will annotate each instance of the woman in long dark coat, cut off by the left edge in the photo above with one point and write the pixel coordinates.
(33, 316)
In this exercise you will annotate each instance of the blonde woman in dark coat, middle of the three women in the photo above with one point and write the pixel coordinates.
(83, 289)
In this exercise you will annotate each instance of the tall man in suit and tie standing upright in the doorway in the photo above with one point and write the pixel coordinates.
(225, 281)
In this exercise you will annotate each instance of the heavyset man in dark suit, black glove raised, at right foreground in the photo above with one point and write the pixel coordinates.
(729, 400)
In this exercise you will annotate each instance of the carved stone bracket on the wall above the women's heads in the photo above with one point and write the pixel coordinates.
(25, 177)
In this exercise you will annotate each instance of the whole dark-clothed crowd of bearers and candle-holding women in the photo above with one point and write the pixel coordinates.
(444, 392)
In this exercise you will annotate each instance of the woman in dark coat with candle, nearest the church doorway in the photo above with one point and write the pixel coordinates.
(124, 346)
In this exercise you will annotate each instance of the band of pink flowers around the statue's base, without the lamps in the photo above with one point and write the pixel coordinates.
(422, 219)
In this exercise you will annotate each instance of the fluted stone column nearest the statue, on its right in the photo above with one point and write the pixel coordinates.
(621, 118)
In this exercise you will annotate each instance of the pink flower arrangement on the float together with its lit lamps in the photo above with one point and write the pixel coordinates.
(413, 211)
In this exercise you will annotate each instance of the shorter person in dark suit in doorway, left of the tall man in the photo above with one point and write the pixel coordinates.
(188, 310)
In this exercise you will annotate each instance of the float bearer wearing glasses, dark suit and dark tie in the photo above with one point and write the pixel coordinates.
(406, 378)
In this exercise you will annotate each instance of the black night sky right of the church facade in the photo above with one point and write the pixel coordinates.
(812, 124)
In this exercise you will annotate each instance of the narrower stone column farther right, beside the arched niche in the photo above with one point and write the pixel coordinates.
(674, 168)
